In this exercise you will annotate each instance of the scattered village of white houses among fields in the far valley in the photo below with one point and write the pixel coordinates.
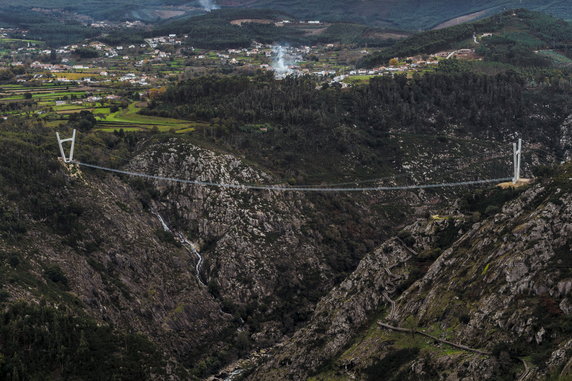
(135, 59)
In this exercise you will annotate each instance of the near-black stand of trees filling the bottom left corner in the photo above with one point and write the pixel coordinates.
(41, 342)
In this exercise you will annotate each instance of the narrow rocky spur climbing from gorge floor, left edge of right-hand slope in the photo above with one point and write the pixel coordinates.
(340, 314)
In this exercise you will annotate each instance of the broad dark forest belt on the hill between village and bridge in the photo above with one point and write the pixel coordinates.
(269, 118)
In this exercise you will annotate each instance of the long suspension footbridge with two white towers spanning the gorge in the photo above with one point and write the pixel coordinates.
(69, 159)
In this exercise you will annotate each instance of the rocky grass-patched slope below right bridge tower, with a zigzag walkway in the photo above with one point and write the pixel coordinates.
(501, 285)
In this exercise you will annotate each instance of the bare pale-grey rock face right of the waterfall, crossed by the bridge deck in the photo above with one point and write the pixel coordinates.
(256, 244)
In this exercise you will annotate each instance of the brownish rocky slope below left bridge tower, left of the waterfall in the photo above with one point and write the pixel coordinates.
(151, 279)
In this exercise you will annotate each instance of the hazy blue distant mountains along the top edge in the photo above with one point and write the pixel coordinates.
(402, 14)
